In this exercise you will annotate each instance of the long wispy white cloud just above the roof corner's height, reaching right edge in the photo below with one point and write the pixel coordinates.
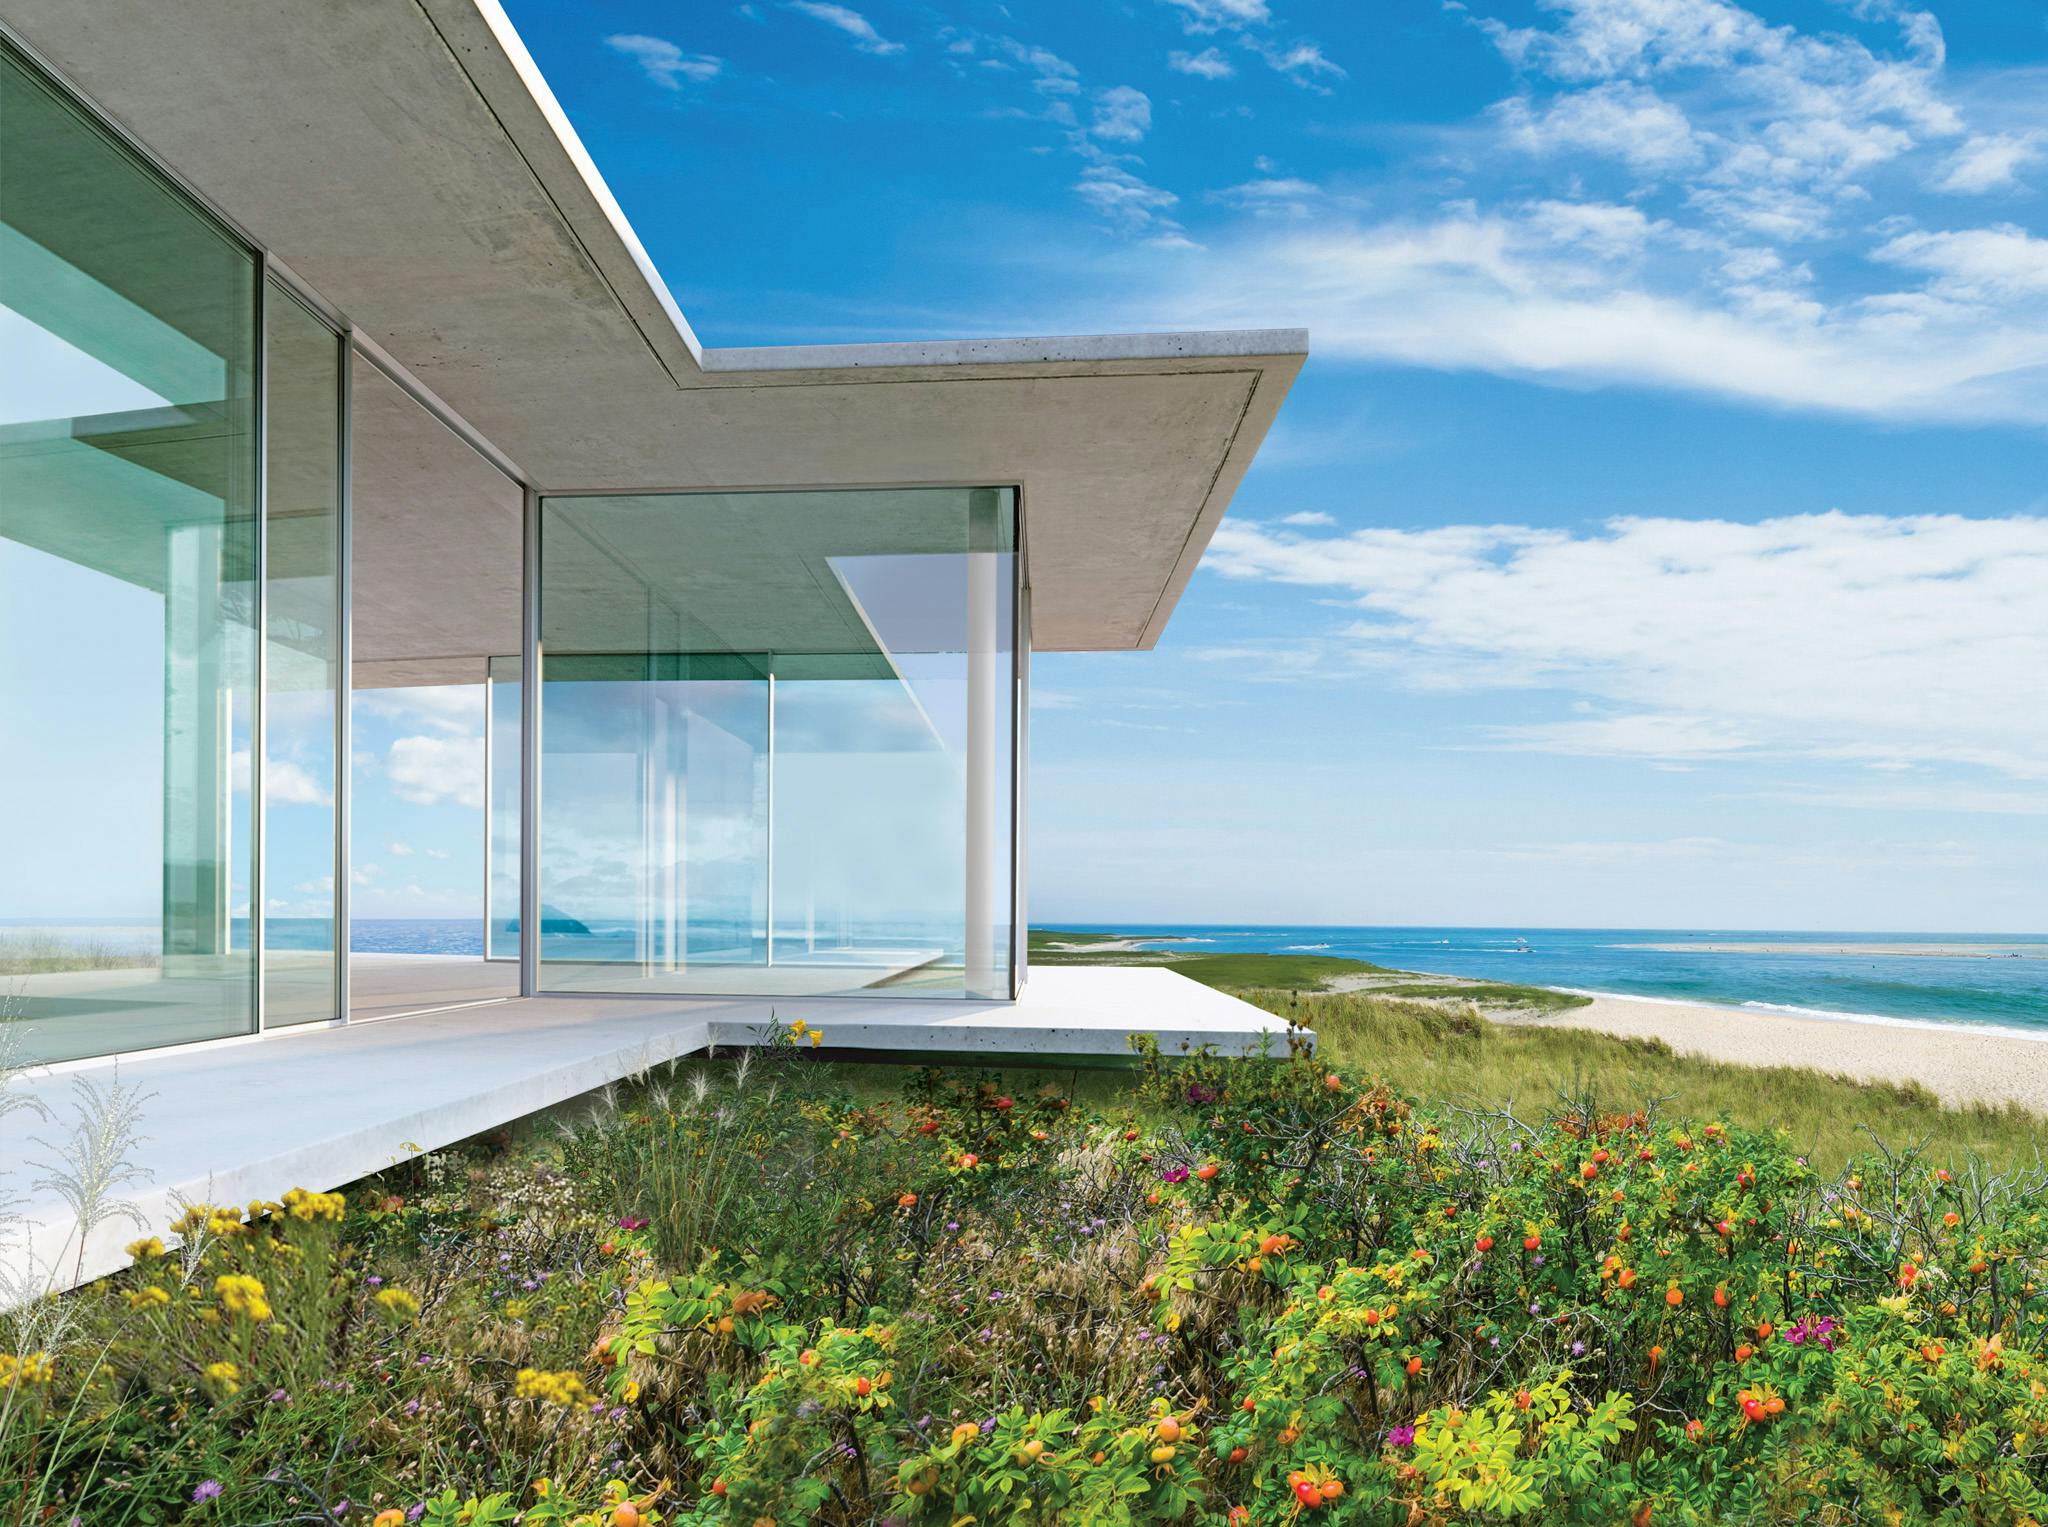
(1496, 292)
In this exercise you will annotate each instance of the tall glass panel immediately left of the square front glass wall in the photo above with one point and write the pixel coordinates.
(437, 539)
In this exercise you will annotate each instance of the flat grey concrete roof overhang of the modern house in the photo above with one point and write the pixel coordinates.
(407, 161)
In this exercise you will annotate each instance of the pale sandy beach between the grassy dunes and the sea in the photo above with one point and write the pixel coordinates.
(1961, 1065)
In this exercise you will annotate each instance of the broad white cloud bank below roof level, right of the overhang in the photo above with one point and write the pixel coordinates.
(1914, 642)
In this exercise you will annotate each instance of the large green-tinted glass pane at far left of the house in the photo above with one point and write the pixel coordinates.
(128, 595)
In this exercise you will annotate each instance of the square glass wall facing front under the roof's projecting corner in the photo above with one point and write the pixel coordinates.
(777, 742)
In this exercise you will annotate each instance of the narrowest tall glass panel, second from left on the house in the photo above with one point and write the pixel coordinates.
(302, 658)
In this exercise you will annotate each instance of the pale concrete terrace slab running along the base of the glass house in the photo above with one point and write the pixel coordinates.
(318, 1108)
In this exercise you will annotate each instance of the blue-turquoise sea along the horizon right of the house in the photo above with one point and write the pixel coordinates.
(1795, 977)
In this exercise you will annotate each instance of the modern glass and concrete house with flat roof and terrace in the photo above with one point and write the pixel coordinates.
(329, 367)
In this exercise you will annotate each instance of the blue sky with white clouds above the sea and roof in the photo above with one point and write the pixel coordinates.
(1660, 527)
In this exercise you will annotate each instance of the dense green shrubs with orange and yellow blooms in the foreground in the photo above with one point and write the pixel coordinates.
(1240, 1295)
